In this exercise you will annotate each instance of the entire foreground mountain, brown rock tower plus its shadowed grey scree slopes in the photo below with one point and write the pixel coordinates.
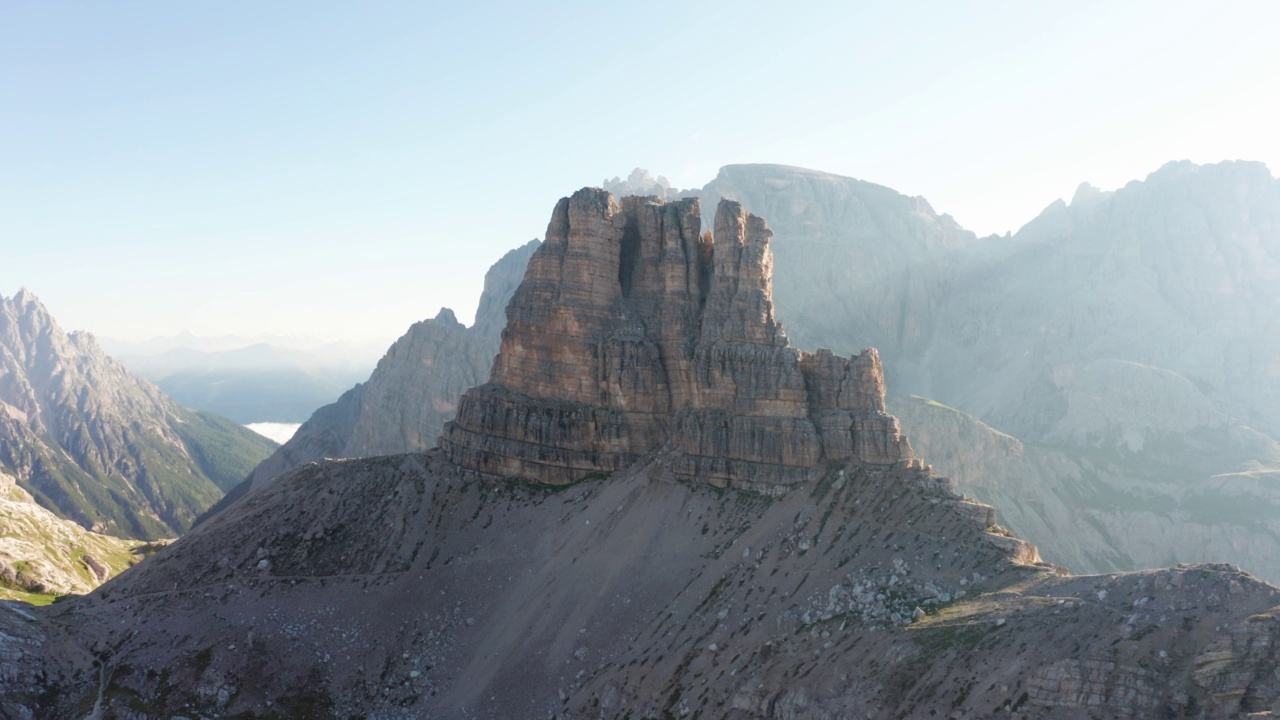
(735, 528)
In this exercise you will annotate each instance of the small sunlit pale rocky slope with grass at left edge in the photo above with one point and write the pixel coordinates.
(44, 557)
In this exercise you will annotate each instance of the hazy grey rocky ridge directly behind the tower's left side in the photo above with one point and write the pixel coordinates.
(415, 389)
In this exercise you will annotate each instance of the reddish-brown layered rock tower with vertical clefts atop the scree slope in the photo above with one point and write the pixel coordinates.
(634, 332)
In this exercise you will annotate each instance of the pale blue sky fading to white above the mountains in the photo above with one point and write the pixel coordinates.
(344, 170)
